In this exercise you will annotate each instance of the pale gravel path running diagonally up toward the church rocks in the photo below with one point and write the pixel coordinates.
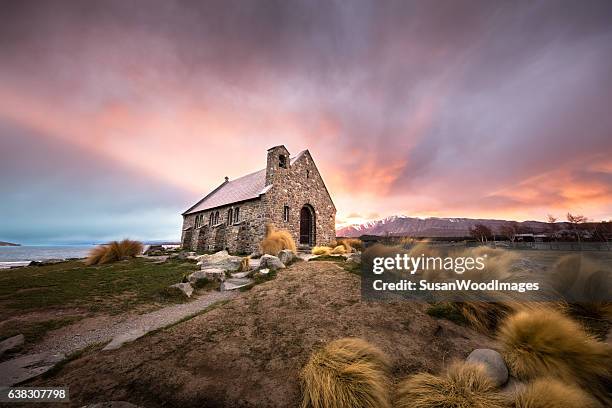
(119, 329)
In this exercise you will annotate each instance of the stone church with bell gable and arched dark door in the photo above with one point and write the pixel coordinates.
(289, 194)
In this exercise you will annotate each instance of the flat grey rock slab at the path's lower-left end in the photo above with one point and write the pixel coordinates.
(23, 368)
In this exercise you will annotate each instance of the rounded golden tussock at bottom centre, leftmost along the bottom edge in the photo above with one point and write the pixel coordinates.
(346, 373)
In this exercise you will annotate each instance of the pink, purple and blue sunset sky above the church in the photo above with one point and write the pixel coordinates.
(116, 116)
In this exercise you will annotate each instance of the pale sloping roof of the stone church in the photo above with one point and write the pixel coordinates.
(244, 188)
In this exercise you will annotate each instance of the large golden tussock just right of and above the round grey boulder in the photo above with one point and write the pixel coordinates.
(543, 342)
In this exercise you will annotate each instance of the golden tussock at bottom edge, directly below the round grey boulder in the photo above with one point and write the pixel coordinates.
(463, 385)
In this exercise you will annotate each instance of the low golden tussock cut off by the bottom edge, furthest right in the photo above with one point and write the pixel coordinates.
(552, 393)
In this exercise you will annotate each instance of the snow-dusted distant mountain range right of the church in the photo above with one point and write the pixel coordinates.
(434, 227)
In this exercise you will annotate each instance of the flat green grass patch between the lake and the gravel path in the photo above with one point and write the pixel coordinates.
(111, 288)
